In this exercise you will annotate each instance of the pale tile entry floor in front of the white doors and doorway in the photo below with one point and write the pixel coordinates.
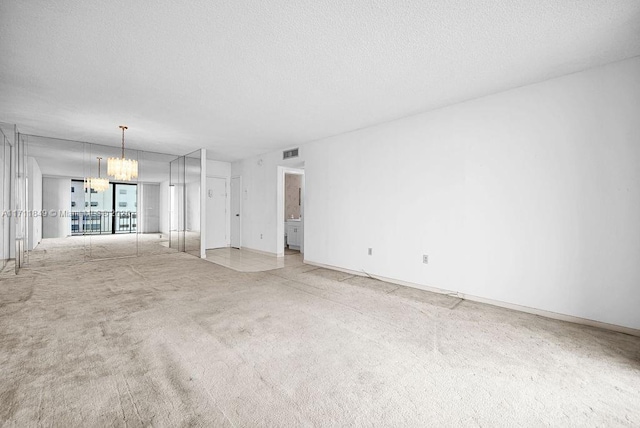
(250, 261)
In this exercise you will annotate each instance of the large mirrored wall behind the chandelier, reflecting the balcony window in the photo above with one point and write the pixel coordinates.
(89, 215)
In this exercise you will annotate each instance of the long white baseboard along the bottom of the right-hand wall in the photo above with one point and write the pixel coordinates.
(520, 308)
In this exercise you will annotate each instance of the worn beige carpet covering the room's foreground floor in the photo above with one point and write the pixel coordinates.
(171, 340)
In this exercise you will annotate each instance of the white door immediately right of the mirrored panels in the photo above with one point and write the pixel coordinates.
(216, 212)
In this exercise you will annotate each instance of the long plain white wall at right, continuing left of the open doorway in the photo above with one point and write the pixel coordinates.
(530, 196)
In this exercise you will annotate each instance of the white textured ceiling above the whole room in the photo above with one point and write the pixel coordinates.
(242, 78)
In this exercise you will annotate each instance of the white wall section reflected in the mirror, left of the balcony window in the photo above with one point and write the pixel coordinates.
(56, 195)
